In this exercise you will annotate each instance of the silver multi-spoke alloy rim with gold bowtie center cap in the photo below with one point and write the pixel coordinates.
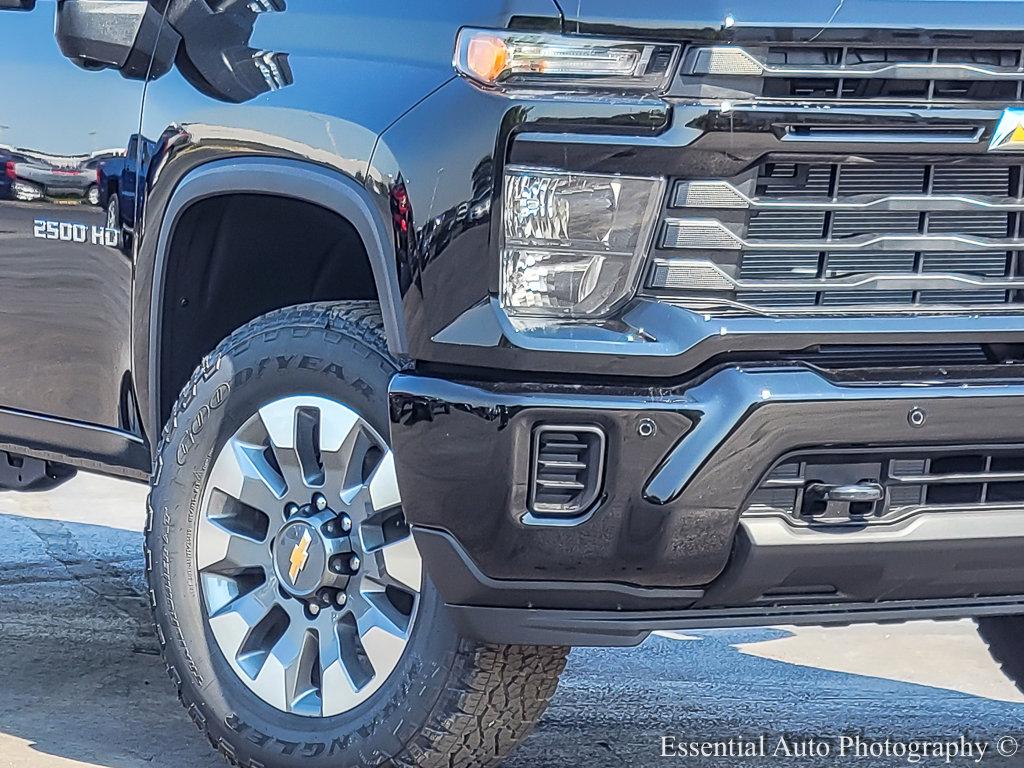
(310, 573)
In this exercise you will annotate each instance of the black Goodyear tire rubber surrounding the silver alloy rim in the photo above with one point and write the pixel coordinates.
(450, 701)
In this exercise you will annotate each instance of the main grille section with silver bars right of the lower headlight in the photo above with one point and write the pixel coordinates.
(859, 236)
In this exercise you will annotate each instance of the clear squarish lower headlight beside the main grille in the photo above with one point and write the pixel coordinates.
(574, 243)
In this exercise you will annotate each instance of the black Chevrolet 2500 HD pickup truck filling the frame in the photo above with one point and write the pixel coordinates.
(455, 334)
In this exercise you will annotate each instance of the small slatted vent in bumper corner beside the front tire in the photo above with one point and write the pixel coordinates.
(568, 471)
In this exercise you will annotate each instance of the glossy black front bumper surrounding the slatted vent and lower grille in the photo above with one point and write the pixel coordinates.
(671, 507)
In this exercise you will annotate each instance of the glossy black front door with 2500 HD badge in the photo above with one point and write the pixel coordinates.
(65, 281)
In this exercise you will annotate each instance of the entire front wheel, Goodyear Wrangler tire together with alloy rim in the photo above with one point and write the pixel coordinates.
(292, 611)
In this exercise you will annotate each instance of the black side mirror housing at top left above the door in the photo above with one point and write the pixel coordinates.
(122, 35)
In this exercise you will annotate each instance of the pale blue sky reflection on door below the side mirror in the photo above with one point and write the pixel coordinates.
(42, 93)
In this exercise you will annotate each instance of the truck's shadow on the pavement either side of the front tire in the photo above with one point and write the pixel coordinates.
(81, 680)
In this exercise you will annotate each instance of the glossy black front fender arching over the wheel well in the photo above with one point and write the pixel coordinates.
(345, 91)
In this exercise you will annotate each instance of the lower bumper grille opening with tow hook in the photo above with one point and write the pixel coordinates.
(913, 483)
